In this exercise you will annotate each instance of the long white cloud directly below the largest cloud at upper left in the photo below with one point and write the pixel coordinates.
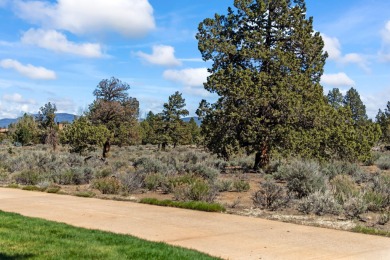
(55, 41)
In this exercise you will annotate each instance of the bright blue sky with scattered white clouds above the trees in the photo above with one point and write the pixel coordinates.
(59, 50)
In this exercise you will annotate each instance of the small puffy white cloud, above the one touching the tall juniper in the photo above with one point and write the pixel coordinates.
(162, 55)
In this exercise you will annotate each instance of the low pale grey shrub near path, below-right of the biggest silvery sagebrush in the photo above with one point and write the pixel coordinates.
(319, 203)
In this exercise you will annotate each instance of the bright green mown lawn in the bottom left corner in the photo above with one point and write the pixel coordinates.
(30, 238)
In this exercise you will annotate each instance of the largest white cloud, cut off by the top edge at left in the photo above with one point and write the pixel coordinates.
(131, 18)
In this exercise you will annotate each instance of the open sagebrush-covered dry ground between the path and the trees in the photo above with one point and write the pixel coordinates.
(336, 194)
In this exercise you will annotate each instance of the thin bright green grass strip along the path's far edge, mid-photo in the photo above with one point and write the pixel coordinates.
(195, 205)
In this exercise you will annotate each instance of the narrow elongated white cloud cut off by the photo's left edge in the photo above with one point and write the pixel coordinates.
(28, 70)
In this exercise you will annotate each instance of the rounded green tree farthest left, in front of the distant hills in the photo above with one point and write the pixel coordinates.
(25, 130)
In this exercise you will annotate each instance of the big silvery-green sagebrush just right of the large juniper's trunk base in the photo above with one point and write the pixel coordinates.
(303, 177)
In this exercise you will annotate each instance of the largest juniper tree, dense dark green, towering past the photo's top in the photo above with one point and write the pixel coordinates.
(267, 65)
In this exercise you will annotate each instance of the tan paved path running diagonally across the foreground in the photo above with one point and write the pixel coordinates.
(227, 236)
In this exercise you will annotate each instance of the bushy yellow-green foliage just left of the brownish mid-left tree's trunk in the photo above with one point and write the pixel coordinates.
(82, 136)
